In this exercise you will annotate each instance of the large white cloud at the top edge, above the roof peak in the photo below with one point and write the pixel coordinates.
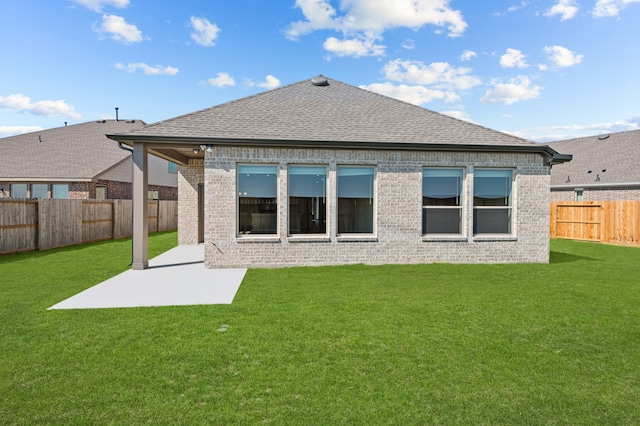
(366, 20)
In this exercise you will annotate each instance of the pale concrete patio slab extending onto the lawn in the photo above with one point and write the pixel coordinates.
(174, 278)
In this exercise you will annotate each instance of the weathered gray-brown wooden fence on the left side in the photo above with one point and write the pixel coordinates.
(48, 223)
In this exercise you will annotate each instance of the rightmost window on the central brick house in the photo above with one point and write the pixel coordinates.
(492, 203)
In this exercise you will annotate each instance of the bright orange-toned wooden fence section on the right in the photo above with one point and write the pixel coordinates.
(613, 222)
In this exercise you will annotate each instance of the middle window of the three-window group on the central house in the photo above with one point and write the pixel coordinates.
(307, 200)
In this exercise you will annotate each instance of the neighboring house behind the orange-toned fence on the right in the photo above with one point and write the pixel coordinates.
(604, 168)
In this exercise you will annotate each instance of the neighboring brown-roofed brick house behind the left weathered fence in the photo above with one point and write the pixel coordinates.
(80, 162)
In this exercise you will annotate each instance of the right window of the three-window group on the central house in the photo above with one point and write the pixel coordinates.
(355, 200)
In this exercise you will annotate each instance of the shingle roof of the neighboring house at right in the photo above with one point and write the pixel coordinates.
(605, 160)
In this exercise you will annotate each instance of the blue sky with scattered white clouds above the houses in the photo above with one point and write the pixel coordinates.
(539, 69)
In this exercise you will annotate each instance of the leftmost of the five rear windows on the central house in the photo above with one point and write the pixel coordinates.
(257, 199)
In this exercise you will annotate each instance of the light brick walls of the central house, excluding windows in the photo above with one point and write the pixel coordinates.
(398, 237)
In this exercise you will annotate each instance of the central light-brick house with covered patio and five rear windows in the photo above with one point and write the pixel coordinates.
(320, 172)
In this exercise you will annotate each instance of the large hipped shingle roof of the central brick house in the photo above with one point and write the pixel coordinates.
(323, 112)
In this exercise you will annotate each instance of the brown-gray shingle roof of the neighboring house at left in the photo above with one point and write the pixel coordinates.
(76, 152)
